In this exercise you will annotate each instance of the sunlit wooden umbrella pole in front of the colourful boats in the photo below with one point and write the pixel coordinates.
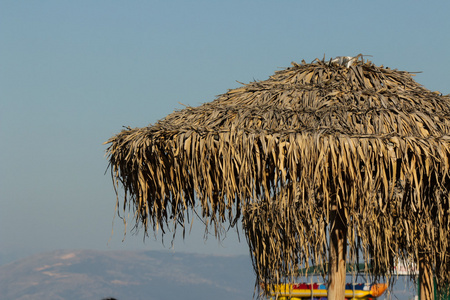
(337, 255)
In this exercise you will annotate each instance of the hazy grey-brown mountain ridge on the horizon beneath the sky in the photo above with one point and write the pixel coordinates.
(125, 275)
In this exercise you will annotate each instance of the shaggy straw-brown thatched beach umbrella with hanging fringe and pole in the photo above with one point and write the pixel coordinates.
(338, 148)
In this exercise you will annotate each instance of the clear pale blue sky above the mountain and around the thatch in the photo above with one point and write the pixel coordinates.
(73, 73)
